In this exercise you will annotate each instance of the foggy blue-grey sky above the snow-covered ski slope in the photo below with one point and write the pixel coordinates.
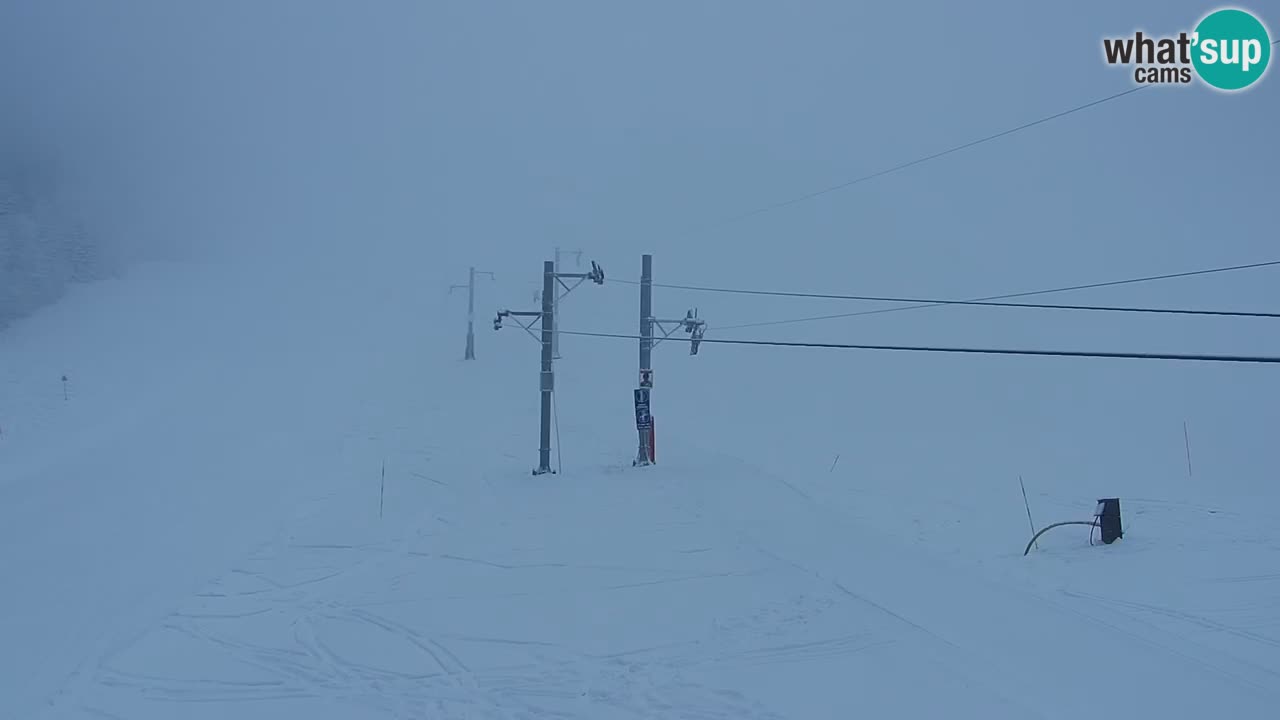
(447, 134)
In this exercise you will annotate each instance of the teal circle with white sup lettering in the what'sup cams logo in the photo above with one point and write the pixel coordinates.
(1232, 49)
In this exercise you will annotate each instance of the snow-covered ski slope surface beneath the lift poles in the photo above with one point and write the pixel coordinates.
(196, 531)
